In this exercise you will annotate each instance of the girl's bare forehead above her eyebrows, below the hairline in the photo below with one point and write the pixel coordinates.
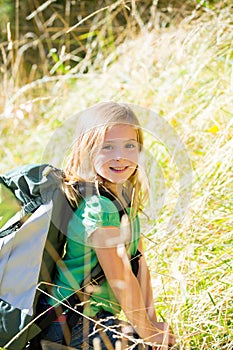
(122, 131)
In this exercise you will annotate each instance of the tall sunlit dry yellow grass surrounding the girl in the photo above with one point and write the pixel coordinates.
(181, 68)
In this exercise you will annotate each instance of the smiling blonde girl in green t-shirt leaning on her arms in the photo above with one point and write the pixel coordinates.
(103, 180)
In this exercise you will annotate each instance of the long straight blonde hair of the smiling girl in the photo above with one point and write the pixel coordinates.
(91, 128)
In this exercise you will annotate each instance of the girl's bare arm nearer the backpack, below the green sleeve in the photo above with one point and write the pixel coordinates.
(116, 266)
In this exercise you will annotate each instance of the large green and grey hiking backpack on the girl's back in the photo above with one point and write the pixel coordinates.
(32, 239)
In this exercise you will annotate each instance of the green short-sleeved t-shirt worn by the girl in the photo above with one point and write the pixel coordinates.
(80, 258)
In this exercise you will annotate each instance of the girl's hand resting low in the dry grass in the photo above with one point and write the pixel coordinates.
(164, 336)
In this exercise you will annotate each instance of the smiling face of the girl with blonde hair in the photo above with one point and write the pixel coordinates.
(117, 158)
